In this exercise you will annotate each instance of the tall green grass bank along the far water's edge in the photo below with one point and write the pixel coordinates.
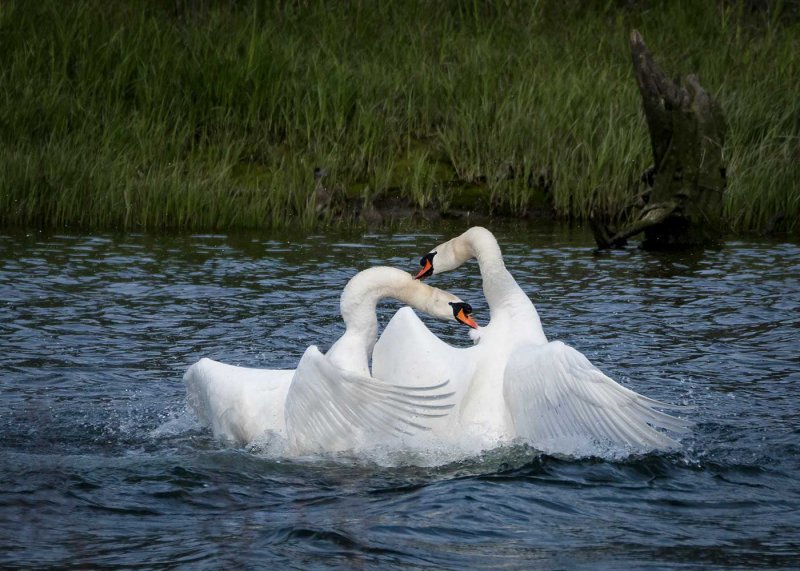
(194, 114)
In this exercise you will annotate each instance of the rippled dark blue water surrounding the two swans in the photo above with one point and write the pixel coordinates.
(102, 466)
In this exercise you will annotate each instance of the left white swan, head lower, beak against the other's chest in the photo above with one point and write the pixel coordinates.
(330, 402)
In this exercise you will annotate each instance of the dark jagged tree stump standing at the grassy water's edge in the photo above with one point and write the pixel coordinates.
(682, 205)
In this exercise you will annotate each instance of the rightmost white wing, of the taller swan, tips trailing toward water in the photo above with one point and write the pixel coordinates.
(560, 402)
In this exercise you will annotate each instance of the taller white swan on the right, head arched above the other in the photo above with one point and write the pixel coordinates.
(514, 384)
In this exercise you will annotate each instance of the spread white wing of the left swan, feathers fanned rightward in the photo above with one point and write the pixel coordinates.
(329, 409)
